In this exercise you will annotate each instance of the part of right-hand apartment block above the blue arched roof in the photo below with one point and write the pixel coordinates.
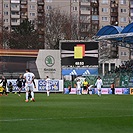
(114, 12)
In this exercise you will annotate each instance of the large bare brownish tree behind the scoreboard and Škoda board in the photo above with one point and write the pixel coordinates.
(59, 25)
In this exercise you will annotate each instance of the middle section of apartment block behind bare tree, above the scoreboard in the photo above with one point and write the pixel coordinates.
(84, 11)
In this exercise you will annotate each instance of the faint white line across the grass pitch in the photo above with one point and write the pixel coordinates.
(32, 119)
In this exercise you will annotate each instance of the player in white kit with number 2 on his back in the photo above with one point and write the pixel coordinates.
(29, 76)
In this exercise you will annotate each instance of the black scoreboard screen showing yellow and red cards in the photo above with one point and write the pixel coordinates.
(79, 53)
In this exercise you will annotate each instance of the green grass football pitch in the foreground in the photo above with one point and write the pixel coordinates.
(61, 113)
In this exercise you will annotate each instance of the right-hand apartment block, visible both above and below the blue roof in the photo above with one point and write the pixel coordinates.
(117, 13)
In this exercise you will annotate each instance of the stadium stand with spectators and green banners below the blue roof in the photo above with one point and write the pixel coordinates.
(122, 76)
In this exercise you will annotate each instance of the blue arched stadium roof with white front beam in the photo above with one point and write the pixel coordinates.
(116, 33)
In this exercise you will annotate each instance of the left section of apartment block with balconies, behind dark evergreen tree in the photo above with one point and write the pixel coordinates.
(15, 11)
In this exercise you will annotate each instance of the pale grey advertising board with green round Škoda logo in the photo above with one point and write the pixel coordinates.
(48, 64)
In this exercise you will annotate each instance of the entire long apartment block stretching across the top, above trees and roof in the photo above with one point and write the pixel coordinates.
(91, 15)
